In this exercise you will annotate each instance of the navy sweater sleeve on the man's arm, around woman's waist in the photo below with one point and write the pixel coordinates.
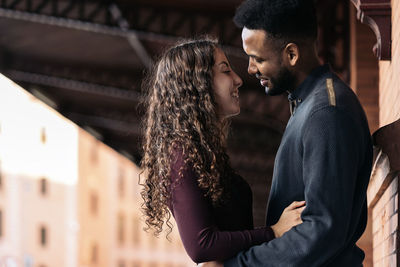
(332, 152)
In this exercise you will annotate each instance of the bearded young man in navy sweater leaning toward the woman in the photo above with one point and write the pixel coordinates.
(325, 154)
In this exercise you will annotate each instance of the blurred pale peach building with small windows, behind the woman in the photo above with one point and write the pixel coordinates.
(66, 199)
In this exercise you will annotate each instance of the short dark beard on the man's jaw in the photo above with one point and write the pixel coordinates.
(283, 82)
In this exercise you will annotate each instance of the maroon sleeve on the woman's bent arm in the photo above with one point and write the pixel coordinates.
(200, 235)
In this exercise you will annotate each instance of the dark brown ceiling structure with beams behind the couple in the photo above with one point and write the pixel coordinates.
(87, 59)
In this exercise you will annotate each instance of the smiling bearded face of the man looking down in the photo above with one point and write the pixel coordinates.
(265, 62)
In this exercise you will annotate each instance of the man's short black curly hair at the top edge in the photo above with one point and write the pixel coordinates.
(281, 19)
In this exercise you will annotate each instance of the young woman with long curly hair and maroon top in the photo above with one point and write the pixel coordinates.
(191, 94)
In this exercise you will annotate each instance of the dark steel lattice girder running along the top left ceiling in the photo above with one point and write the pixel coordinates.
(147, 22)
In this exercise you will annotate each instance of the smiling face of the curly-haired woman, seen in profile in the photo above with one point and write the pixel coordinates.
(226, 85)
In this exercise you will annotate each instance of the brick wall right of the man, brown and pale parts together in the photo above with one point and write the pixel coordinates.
(382, 107)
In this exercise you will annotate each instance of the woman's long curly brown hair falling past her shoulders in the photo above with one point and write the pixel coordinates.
(181, 113)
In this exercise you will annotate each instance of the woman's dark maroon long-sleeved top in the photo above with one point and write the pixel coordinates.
(209, 233)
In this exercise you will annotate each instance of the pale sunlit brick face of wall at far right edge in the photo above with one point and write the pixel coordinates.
(383, 189)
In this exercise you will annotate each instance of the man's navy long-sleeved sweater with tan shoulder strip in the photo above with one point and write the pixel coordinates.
(325, 158)
